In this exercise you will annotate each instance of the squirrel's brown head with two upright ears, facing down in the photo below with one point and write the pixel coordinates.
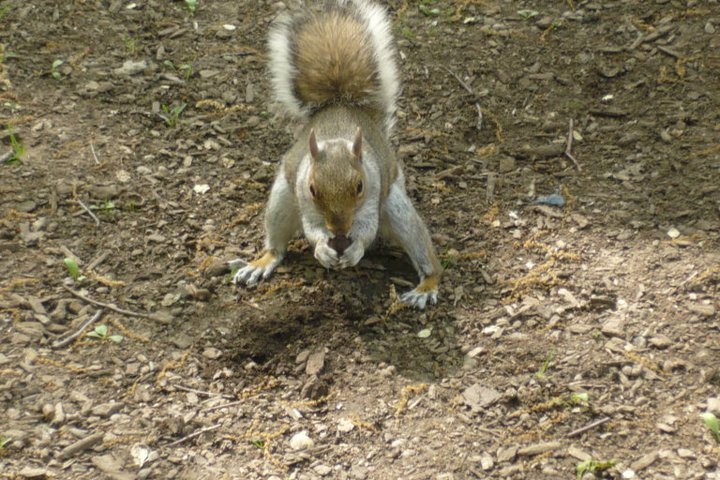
(337, 181)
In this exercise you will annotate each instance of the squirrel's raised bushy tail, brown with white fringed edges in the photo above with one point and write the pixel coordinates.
(341, 55)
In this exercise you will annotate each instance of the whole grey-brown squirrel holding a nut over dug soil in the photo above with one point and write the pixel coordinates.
(340, 183)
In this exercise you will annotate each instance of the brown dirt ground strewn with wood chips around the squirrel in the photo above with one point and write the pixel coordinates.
(566, 336)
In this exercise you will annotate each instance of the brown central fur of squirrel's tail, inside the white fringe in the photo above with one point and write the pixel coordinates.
(335, 61)
